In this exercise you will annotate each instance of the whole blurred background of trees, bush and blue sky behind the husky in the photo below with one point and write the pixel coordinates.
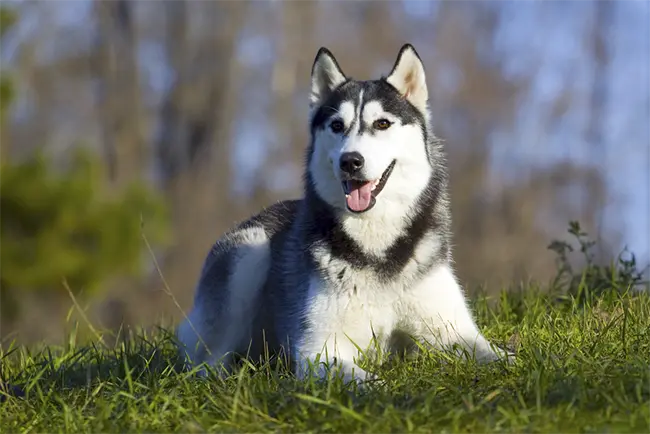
(134, 130)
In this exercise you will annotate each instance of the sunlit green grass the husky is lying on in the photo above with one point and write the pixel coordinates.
(580, 368)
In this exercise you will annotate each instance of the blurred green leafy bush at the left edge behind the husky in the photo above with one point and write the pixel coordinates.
(61, 223)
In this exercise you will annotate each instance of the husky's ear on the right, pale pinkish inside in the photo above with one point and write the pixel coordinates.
(408, 77)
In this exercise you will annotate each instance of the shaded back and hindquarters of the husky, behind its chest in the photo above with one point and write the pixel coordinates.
(231, 308)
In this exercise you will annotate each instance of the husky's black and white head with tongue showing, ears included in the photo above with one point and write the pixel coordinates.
(369, 154)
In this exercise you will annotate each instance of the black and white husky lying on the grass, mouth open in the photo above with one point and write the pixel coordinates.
(363, 258)
